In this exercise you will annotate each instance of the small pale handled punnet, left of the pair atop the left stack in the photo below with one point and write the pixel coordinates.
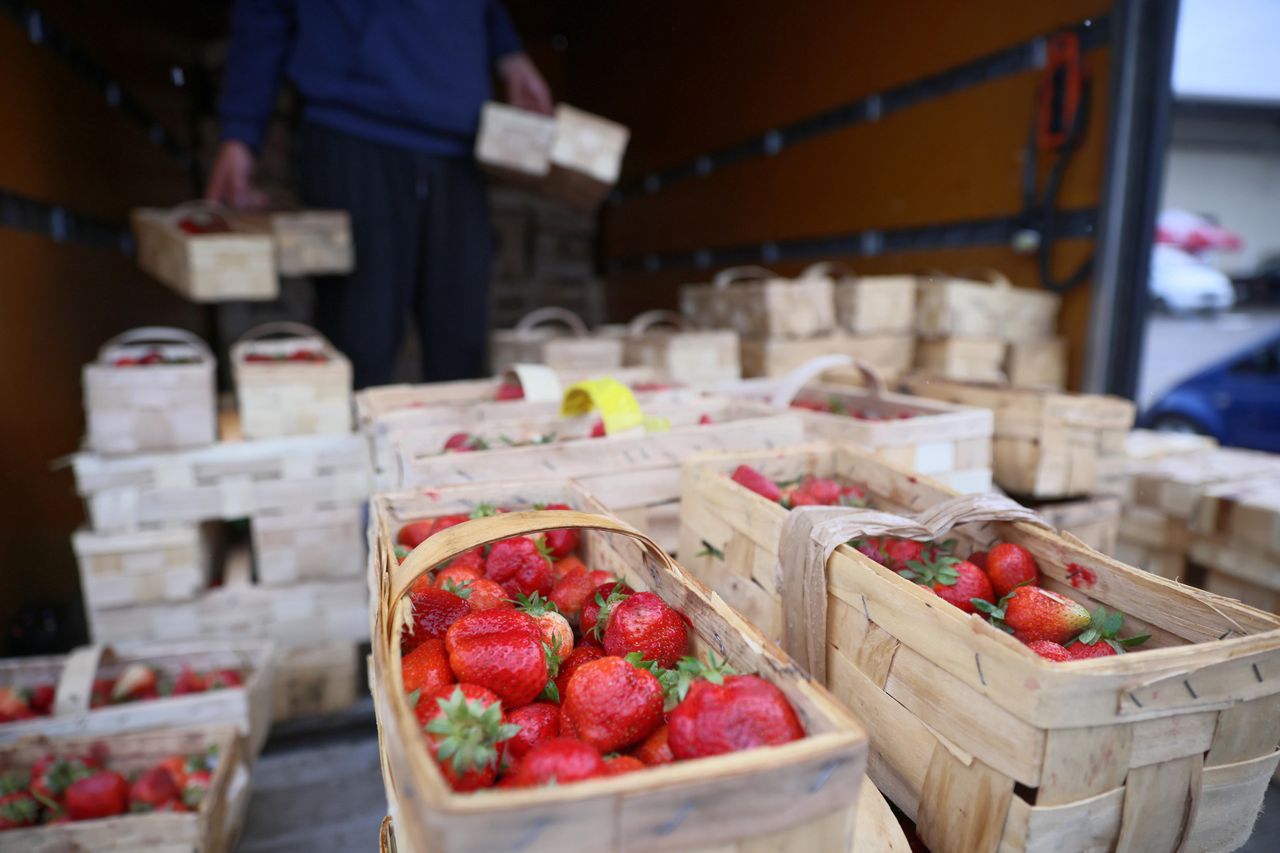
(150, 408)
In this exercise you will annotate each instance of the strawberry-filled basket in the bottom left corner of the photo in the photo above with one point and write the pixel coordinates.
(170, 790)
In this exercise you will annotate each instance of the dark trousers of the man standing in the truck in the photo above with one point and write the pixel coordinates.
(420, 226)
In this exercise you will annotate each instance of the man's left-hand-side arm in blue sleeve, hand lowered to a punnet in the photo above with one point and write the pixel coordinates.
(260, 37)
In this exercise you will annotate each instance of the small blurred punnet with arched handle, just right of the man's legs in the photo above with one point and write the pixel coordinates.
(531, 341)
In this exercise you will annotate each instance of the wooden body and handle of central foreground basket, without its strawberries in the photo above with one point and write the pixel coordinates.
(801, 796)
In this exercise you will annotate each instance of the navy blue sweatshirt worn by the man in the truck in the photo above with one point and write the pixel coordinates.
(412, 74)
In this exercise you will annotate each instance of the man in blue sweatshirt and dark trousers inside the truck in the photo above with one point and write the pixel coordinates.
(391, 101)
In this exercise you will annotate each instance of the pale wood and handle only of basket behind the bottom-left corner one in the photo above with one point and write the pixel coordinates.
(248, 709)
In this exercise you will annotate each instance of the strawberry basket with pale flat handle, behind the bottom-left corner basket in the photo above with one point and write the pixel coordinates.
(104, 691)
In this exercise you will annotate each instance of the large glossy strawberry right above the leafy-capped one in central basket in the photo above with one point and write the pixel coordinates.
(502, 651)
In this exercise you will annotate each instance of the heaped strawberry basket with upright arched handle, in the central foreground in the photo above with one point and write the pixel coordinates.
(546, 676)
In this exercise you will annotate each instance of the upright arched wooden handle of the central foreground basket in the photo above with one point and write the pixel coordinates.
(461, 539)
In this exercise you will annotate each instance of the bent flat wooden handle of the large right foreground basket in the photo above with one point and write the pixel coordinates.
(812, 535)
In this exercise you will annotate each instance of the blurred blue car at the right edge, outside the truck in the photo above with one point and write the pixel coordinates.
(1237, 402)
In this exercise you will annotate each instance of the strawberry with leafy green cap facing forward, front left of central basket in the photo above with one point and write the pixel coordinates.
(468, 732)
